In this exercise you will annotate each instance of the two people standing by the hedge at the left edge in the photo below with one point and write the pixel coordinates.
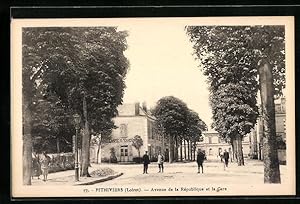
(40, 165)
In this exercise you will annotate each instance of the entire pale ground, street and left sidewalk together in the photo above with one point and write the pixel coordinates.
(175, 173)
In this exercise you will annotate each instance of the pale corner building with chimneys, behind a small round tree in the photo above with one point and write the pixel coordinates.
(132, 120)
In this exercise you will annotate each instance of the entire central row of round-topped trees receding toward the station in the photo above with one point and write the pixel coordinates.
(178, 125)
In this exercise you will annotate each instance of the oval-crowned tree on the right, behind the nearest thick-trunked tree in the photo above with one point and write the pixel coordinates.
(234, 114)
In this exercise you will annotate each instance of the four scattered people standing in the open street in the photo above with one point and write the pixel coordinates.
(200, 159)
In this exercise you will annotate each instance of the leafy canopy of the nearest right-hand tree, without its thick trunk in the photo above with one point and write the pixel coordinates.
(224, 48)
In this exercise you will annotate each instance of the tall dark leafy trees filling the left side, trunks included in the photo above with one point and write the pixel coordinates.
(68, 70)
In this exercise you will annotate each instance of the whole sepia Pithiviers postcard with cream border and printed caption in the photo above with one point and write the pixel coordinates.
(135, 107)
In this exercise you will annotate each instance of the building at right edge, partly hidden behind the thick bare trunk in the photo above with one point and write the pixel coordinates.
(257, 133)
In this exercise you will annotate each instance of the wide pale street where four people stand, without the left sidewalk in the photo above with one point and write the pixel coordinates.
(186, 173)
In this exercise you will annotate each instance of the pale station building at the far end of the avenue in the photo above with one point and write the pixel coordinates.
(212, 144)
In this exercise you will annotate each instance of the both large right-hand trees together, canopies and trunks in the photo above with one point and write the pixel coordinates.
(232, 57)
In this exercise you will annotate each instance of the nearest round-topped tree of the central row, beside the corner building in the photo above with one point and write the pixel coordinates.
(171, 115)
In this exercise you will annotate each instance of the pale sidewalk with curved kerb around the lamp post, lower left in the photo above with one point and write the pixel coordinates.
(68, 178)
